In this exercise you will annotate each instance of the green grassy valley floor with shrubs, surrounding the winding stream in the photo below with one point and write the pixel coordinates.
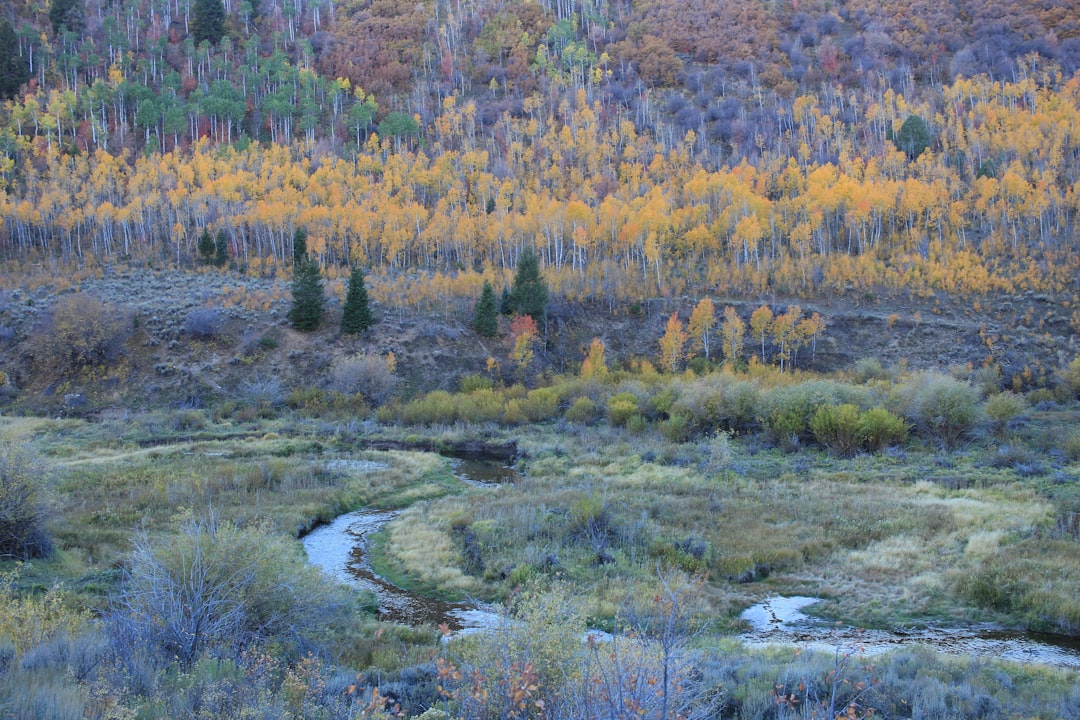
(650, 506)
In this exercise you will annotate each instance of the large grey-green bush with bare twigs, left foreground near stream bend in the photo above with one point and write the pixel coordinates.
(221, 589)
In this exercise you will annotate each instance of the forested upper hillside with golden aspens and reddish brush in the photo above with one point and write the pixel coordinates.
(641, 148)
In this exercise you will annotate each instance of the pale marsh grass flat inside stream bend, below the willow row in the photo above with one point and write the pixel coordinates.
(883, 538)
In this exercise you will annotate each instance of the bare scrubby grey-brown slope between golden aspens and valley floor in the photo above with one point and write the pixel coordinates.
(201, 338)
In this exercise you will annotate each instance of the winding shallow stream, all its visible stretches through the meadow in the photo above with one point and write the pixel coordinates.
(340, 549)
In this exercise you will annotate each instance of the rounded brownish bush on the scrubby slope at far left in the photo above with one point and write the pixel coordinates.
(79, 332)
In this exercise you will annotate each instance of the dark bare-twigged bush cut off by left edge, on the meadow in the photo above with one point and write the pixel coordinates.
(22, 512)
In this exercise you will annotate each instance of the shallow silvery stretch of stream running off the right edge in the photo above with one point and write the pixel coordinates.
(781, 621)
